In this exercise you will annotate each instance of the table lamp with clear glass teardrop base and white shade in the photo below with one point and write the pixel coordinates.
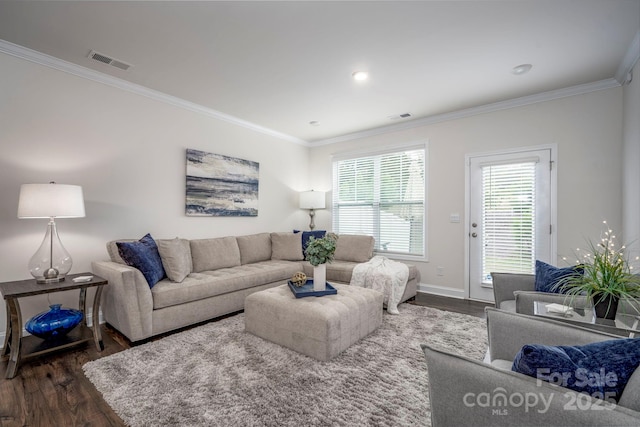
(52, 262)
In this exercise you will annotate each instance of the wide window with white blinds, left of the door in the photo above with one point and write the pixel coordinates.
(382, 195)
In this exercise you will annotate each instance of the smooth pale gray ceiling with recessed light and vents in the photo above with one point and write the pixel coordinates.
(281, 65)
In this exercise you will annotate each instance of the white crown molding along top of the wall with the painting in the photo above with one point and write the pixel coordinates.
(96, 76)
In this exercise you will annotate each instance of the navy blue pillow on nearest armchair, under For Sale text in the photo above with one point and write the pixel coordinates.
(600, 369)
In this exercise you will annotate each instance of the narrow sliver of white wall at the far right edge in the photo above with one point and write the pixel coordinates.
(631, 131)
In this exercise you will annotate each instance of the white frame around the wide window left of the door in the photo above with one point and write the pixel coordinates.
(422, 145)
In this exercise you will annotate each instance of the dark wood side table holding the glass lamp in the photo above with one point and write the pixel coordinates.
(19, 348)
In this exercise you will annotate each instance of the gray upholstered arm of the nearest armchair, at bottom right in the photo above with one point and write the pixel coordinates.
(466, 392)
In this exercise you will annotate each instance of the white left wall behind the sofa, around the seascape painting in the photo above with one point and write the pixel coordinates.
(128, 154)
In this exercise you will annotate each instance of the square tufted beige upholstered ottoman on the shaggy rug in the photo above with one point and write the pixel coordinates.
(320, 327)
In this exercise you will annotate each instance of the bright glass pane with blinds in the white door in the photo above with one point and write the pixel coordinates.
(508, 218)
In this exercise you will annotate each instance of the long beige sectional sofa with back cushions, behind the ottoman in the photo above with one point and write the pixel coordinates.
(217, 274)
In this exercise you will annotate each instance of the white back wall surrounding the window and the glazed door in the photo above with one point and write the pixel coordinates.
(588, 132)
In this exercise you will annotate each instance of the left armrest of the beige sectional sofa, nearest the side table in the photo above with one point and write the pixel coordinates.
(127, 303)
